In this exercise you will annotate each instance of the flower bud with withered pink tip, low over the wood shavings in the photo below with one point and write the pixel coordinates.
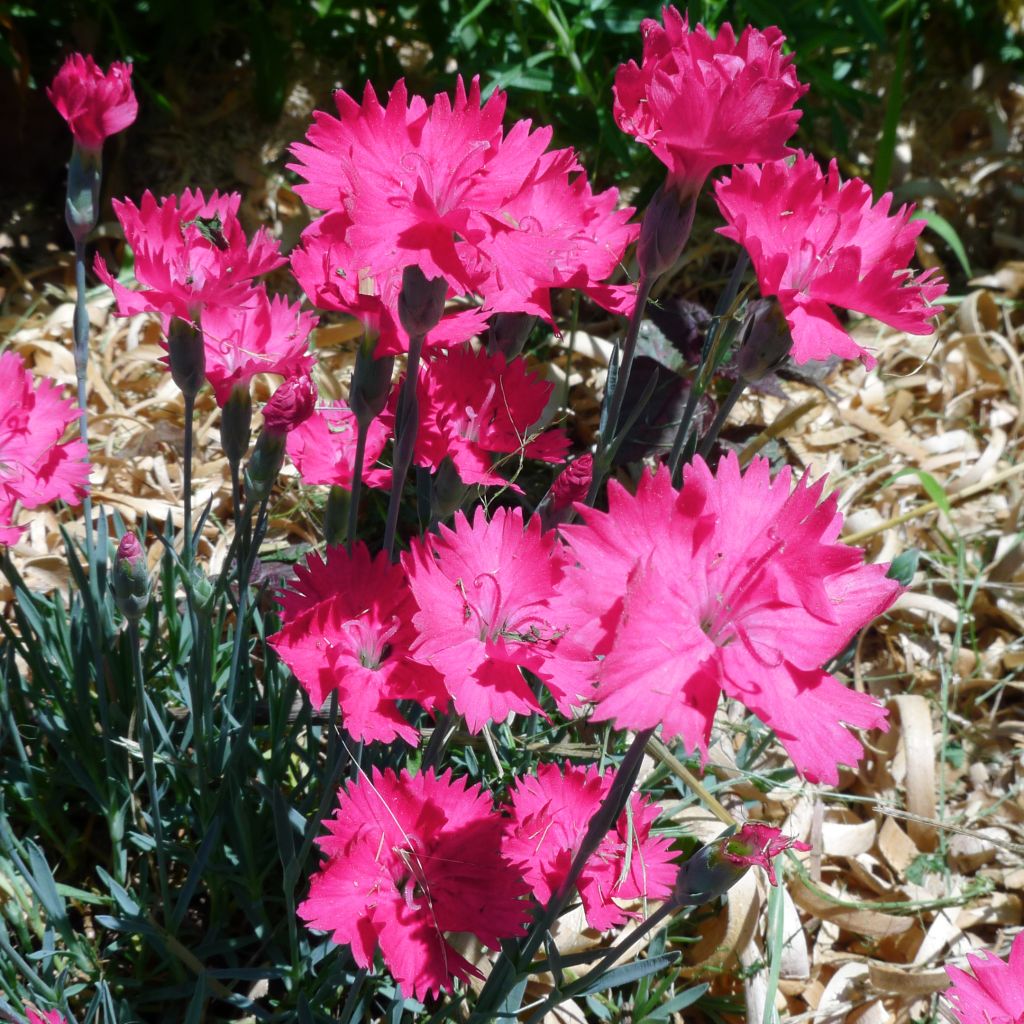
(715, 869)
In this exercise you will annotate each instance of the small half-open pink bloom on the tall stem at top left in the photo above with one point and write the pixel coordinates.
(95, 105)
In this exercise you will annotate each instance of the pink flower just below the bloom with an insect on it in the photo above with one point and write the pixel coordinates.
(262, 336)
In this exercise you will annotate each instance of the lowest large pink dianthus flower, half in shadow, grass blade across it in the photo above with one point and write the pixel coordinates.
(411, 859)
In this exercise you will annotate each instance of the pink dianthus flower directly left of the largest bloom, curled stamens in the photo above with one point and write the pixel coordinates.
(484, 592)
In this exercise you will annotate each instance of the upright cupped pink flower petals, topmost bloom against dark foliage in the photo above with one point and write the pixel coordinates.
(699, 103)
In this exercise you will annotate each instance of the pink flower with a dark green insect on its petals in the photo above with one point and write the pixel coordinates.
(190, 253)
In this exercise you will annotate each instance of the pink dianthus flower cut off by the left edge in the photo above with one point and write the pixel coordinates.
(35, 466)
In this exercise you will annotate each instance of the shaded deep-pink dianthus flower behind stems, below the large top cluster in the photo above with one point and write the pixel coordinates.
(474, 407)
